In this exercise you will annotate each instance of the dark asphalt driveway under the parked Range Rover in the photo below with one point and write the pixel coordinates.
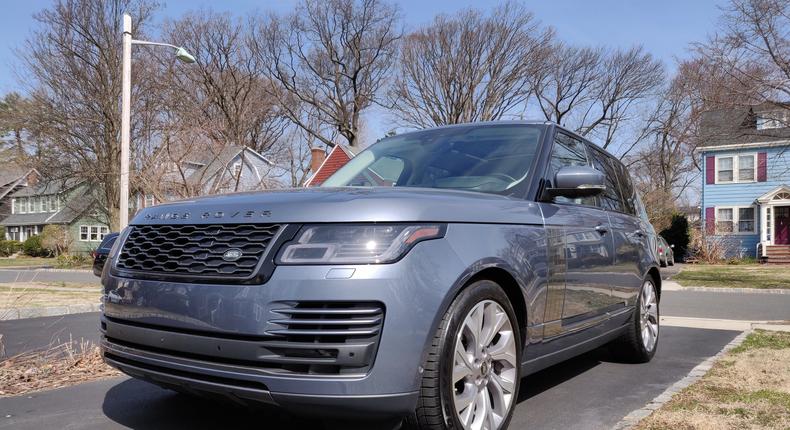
(588, 392)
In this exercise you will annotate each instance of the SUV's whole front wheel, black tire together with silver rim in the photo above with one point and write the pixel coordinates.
(436, 407)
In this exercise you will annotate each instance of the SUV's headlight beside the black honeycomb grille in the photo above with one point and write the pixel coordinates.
(356, 244)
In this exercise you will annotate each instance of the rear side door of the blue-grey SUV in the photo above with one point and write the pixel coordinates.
(628, 233)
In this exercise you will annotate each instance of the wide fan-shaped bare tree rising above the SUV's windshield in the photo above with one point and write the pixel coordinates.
(468, 67)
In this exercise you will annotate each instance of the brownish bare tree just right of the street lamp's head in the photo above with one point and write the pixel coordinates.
(224, 94)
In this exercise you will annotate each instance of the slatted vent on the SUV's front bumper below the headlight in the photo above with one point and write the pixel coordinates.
(324, 337)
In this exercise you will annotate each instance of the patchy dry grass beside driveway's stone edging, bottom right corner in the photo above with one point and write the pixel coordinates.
(748, 388)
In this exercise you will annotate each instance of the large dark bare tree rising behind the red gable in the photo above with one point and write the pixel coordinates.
(328, 61)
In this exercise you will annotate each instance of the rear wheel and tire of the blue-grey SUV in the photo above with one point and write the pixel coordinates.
(632, 346)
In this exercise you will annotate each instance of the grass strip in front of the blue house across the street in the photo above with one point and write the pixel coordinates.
(742, 276)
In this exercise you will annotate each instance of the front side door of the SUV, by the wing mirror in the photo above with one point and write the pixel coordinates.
(578, 285)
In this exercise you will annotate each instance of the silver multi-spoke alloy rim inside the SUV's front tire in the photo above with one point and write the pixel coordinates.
(484, 367)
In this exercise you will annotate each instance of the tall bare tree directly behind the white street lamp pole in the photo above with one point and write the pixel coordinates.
(73, 64)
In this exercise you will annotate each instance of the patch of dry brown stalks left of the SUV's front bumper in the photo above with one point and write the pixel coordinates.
(59, 366)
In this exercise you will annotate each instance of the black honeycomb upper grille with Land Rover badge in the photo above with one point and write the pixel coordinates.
(196, 251)
